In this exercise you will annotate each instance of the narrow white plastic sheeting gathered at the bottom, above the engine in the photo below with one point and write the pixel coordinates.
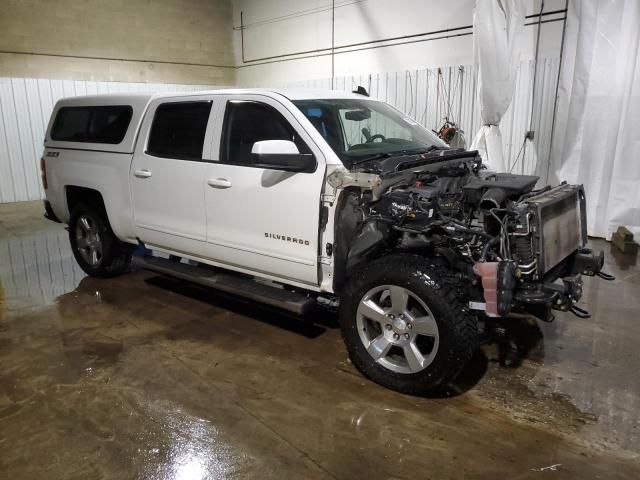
(497, 30)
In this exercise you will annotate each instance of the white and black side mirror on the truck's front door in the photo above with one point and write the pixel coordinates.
(281, 155)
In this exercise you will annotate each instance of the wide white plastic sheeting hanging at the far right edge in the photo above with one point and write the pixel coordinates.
(596, 138)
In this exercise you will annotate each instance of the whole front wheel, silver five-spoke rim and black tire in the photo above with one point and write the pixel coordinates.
(404, 326)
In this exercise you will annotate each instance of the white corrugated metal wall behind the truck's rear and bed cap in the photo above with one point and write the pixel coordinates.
(25, 107)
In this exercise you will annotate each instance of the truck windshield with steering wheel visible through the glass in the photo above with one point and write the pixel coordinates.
(358, 130)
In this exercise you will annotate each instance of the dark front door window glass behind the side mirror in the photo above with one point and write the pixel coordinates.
(248, 122)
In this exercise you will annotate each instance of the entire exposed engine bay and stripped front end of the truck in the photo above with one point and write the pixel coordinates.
(511, 249)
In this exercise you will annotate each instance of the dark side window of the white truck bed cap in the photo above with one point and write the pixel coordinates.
(100, 124)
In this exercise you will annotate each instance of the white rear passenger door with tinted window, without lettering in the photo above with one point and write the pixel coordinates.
(168, 174)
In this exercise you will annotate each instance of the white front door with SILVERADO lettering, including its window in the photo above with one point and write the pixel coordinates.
(262, 219)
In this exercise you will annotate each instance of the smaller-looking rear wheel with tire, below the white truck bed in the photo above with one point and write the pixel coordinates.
(95, 247)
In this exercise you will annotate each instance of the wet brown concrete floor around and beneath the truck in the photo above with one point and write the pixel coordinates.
(146, 377)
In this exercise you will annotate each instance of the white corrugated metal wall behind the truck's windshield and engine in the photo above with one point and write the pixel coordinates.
(430, 95)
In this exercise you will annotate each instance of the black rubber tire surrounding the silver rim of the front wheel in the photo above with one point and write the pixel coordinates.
(457, 330)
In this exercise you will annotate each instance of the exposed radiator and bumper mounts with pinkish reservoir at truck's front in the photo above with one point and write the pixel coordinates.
(543, 257)
